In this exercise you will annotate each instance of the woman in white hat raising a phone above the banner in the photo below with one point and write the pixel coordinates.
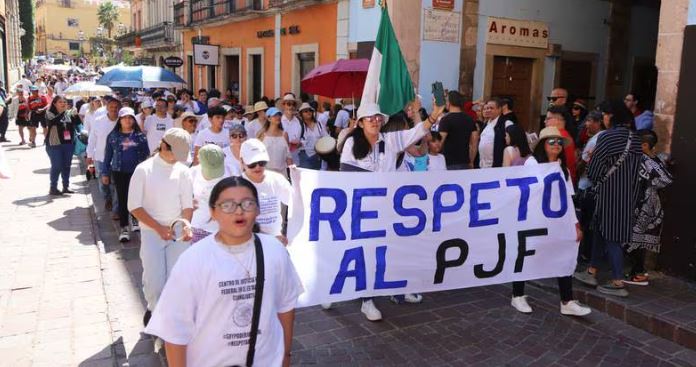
(367, 149)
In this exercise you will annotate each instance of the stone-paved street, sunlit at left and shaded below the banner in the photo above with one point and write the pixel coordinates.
(70, 296)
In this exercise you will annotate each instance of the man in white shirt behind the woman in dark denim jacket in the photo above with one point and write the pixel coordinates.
(100, 130)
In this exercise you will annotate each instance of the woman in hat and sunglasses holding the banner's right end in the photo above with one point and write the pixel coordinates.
(549, 149)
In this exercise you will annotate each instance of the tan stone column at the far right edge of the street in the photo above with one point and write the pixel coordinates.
(670, 39)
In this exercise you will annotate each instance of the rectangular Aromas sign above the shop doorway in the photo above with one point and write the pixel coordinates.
(514, 32)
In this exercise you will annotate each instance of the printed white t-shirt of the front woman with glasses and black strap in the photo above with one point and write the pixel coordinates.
(207, 303)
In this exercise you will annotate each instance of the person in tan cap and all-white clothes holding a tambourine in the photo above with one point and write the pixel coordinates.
(158, 213)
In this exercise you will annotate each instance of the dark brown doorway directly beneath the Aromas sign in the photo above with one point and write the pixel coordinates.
(512, 77)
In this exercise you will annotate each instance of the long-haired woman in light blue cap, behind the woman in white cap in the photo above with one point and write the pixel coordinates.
(276, 141)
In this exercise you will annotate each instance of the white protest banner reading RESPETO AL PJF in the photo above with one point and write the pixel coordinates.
(358, 234)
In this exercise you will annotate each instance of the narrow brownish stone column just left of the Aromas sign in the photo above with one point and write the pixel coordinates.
(467, 56)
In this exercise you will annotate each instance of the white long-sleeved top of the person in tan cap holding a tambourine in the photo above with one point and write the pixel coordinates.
(154, 177)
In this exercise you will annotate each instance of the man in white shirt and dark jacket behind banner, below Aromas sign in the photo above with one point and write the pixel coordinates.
(493, 135)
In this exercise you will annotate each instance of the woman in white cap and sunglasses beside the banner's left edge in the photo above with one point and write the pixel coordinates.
(274, 189)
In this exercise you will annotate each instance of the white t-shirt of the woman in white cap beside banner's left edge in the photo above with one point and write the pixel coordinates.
(274, 189)
